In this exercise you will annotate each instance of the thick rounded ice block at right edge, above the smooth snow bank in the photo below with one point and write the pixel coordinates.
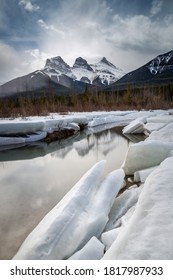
(145, 154)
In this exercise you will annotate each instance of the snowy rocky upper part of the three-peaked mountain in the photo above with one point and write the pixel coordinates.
(103, 72)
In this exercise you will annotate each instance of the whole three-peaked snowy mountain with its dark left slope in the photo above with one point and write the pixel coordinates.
(59, 77)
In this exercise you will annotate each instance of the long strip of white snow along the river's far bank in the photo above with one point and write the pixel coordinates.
(54, 122)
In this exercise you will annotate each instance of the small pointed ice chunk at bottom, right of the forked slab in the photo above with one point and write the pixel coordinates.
(93, 250)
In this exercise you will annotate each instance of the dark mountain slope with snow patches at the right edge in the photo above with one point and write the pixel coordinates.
(156, 72)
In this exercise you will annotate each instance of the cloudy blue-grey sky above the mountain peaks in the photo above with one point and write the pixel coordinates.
(127, 32)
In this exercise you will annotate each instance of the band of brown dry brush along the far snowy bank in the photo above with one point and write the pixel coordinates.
(145, 98)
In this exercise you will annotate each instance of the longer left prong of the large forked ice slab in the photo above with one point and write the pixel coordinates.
(53, 238)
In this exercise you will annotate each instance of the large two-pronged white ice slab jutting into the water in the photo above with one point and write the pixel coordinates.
(81, 214)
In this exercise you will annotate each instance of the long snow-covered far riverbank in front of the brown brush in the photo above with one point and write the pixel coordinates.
(32, 129)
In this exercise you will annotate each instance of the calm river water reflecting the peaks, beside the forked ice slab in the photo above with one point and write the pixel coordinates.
(33, 179)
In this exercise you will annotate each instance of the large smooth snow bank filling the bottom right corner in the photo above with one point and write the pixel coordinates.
(148, 234)
